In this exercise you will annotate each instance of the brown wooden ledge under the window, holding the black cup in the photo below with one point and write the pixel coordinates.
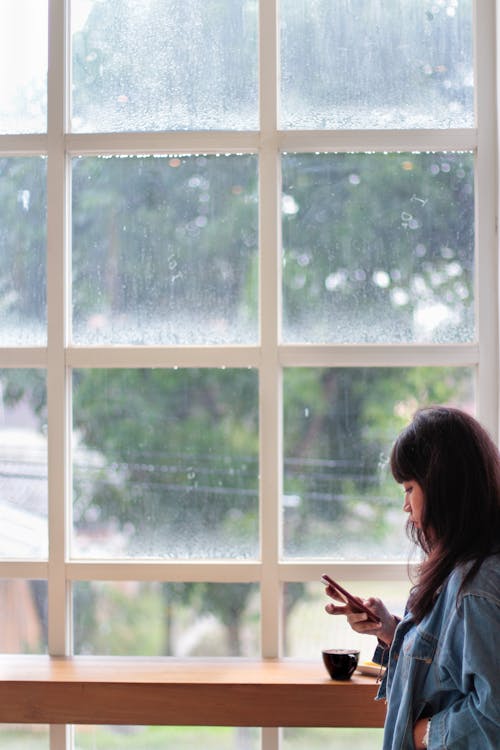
(135, 690)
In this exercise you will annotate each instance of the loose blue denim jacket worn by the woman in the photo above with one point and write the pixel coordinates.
(448, 667)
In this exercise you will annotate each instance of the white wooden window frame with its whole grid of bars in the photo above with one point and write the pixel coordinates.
(270, 356)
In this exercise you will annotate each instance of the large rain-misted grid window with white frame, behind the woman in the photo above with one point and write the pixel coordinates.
(240, 242)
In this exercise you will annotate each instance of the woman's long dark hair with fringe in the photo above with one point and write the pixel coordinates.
(457, 465)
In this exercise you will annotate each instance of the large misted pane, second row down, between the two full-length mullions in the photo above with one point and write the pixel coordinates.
(165, 250)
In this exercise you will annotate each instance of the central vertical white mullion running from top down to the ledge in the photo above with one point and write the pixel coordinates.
(270, 375)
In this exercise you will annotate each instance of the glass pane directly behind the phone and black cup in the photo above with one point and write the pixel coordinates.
(308, 629)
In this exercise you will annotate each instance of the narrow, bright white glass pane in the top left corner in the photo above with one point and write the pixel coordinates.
(23, 66)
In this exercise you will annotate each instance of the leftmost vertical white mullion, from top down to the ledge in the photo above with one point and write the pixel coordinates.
(56, 323)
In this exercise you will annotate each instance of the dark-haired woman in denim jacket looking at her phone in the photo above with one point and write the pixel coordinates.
(442, 682)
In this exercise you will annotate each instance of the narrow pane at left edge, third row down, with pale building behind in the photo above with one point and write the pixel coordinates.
(23, 464)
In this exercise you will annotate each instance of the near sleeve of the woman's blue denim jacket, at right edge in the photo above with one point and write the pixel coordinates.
(470, 661)
